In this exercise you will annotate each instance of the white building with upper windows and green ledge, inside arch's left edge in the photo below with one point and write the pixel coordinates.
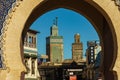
(30, 55)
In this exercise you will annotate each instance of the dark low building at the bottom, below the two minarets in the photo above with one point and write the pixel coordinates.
(63, 71)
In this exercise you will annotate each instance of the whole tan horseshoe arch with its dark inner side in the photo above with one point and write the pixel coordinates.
(92, 10)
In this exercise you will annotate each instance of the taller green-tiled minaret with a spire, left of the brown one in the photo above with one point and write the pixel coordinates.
(54, 45)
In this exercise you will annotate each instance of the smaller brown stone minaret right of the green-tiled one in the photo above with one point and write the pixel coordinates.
(77, 48)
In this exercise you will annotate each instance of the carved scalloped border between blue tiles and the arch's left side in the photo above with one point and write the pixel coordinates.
(4, 29)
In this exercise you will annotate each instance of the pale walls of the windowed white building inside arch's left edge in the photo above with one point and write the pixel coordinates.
(30, 49)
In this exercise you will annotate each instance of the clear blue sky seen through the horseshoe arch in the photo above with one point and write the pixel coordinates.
(69, 23)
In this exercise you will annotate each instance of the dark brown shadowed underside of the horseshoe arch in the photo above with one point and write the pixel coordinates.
(97, 17)
